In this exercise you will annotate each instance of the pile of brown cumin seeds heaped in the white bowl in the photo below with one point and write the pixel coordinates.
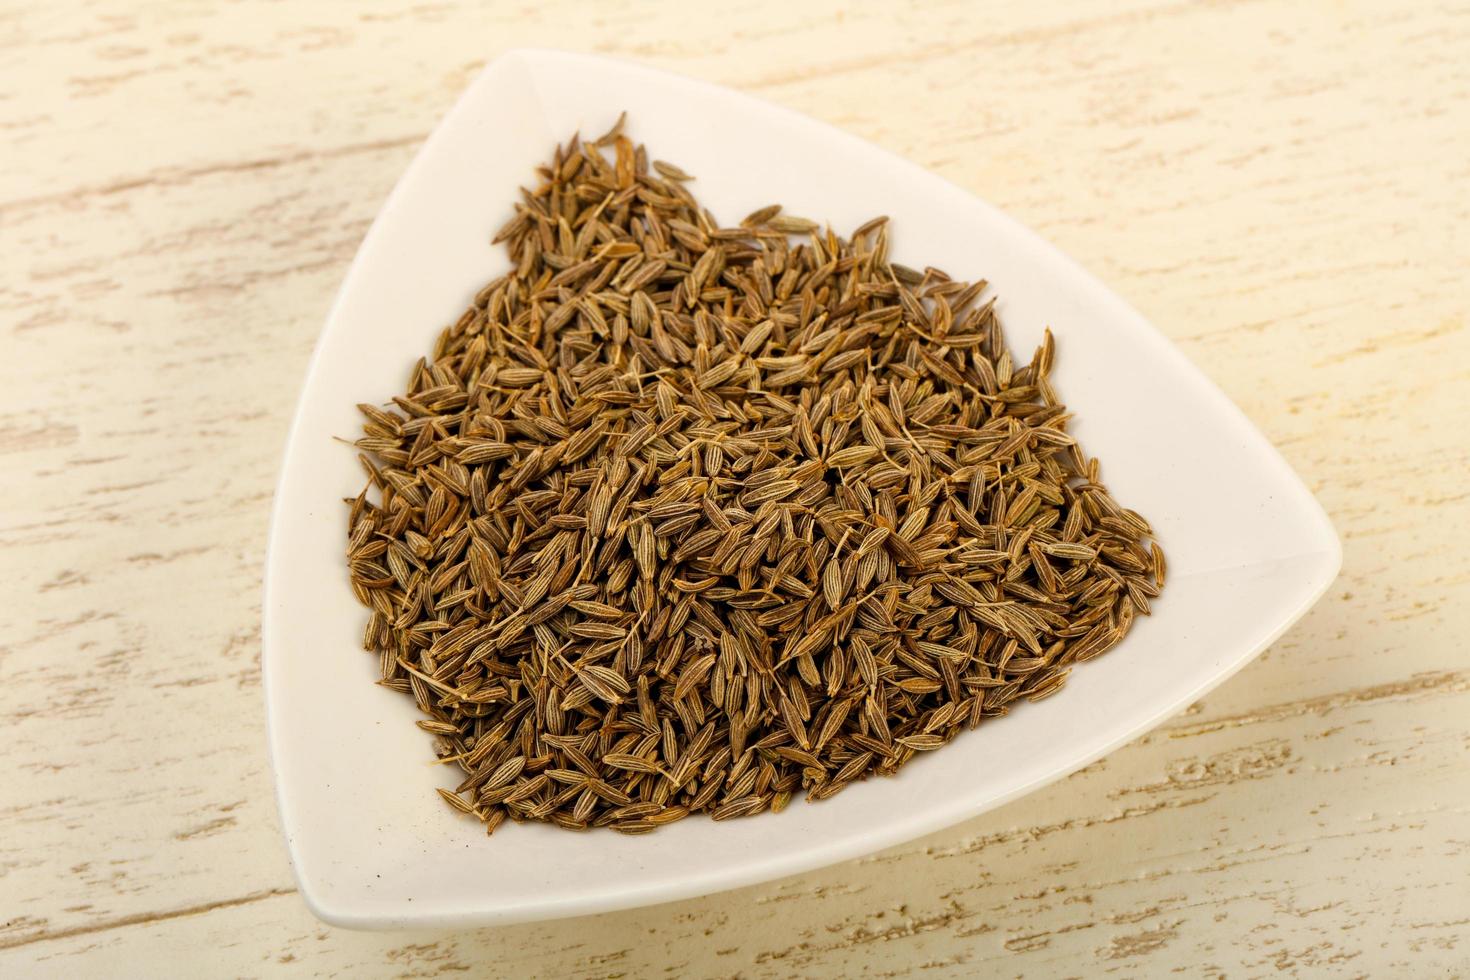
(683, 518)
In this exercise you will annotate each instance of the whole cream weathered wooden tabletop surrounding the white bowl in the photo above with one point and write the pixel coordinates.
(1284, 189)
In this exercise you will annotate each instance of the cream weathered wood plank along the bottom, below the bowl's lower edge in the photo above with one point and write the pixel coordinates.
(1277, 843)
